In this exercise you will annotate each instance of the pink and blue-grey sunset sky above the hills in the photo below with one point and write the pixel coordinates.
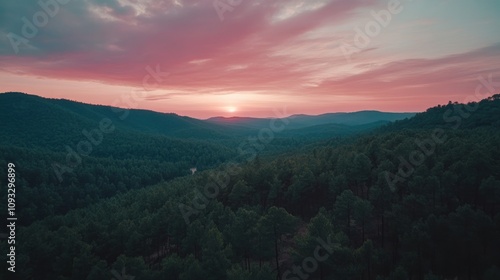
(205, 58)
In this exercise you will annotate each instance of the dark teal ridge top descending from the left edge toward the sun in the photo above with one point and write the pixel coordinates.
(50, 120)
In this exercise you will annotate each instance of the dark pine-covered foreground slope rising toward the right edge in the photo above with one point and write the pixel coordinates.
(418, 199)
